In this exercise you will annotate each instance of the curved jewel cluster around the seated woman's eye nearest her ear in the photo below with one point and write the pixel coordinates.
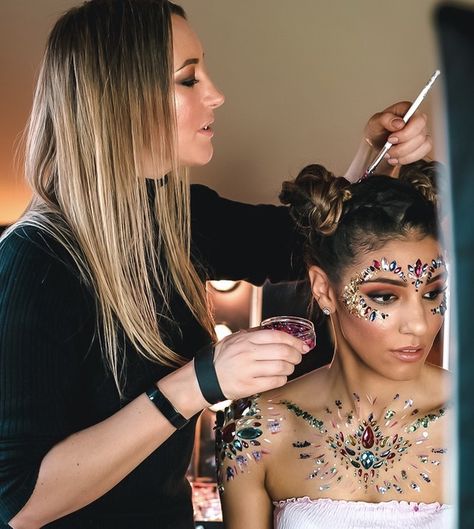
(352, 298)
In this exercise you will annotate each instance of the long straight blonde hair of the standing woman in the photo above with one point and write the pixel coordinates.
(104, 97)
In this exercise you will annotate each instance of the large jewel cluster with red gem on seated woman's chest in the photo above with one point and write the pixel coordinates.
(392, 453)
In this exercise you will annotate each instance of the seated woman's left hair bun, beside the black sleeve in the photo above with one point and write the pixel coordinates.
(316, 198)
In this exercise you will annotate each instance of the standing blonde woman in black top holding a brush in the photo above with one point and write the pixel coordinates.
(102, 300)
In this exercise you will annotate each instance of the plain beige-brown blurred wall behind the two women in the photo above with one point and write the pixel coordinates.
(301, 78)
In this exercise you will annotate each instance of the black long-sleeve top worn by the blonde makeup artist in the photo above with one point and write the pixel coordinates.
(53, 380)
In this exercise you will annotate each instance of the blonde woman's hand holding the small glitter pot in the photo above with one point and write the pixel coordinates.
(256, 360)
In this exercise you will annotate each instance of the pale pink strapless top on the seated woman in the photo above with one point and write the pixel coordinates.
(304, 513)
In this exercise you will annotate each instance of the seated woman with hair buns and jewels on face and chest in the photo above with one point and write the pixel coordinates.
(361, 442)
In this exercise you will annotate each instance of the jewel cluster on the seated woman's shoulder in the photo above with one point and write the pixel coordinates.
(237, 438)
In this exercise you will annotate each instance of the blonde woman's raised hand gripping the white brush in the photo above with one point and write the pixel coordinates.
(411, 140)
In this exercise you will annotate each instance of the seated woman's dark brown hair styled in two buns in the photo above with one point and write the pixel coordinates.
(340, 219)
